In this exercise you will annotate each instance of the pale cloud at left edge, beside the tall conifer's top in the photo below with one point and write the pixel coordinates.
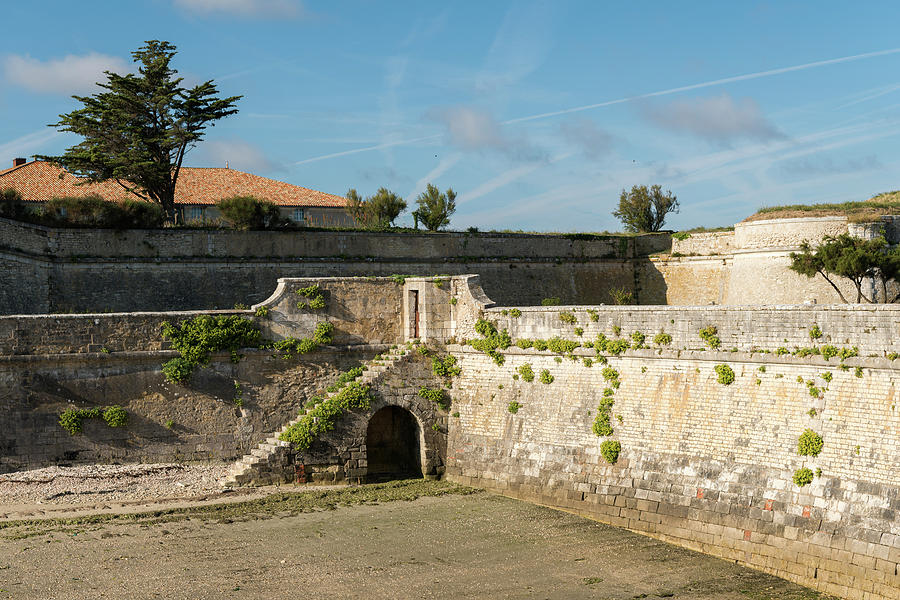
(69, 75)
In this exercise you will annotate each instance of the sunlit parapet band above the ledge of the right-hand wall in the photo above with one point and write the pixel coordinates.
(873, 329)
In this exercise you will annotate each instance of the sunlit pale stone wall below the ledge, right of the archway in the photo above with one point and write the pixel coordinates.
(703, 465)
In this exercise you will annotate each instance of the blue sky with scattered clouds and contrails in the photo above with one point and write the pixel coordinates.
(536, 113)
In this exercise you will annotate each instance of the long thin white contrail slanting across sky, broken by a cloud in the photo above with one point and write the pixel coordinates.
(676, 90)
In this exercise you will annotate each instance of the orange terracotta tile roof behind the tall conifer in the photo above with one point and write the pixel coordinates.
(39, 181)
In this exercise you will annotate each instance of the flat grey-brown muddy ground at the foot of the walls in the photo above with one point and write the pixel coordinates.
(411, 539)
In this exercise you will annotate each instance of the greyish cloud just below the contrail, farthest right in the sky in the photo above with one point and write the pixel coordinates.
(720, 118)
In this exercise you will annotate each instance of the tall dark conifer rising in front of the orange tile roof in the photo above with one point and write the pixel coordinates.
(137, 132)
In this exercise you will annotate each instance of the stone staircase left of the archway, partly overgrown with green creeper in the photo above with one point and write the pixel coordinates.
(265, 464)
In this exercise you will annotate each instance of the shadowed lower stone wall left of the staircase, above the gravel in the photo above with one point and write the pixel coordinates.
(220, 414)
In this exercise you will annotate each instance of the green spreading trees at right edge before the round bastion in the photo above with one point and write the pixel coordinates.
(853, 258)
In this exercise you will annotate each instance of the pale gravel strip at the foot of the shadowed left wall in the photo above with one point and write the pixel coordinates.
(91, 484)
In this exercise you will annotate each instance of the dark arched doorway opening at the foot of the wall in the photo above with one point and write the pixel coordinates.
(392, 445)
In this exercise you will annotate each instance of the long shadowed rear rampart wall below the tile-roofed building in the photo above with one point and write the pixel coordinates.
(70, 270)
